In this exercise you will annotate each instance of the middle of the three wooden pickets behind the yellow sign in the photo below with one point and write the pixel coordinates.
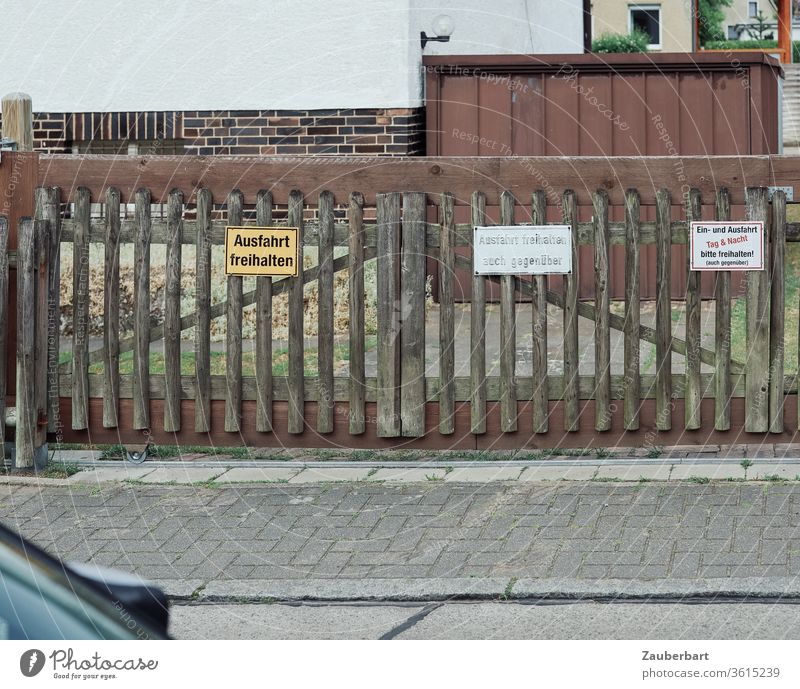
(264, 327)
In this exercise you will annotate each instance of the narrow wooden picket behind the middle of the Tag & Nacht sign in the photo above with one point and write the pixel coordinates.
(722, 330)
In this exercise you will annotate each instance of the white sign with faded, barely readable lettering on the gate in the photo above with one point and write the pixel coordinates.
(522, 249)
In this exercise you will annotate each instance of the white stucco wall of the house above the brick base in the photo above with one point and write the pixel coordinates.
(118, 55)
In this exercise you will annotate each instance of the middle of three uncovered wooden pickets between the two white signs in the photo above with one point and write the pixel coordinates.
(632, 311)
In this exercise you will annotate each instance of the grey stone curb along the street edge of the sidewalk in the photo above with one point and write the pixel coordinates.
(494, 588)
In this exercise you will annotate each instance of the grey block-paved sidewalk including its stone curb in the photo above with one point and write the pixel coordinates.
(431, 539)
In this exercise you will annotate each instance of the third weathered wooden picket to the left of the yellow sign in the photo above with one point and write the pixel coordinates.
(141, 318)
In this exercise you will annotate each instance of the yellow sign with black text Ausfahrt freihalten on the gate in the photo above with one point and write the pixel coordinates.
(261, 251)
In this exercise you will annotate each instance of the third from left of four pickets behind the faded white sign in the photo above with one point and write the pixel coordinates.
(540, 398)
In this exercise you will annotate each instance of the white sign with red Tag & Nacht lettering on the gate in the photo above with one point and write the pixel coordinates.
(727, 245)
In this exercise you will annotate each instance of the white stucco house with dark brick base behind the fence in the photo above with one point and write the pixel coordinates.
(260, 78)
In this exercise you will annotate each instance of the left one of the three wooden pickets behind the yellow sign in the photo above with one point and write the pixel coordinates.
(233, 330)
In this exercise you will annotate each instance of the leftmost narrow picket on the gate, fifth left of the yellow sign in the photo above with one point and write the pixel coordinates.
(80, 311)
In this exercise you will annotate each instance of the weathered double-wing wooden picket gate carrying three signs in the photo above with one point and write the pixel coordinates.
(486, 379)
